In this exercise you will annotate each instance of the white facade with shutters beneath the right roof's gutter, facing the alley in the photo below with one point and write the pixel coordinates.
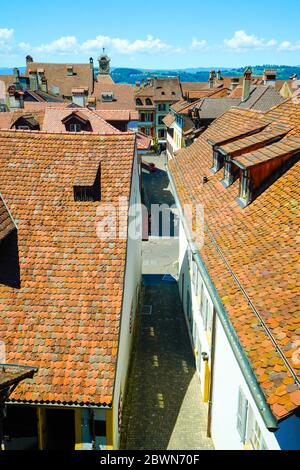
(230, 389)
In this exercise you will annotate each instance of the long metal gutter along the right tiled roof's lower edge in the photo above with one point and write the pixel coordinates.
(239, 353)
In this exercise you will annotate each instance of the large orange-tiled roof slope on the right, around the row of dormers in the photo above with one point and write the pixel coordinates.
(259, 244)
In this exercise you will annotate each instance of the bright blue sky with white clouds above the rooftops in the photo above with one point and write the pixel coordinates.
(152, 34)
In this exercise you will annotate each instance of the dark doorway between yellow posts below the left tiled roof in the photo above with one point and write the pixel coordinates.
(60, 425)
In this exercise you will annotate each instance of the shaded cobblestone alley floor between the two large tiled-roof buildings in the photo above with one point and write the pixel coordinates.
(164, 409)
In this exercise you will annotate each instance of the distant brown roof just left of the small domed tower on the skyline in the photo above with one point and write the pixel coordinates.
(57, 76)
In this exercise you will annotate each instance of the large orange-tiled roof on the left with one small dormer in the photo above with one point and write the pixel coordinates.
(65, 317)
